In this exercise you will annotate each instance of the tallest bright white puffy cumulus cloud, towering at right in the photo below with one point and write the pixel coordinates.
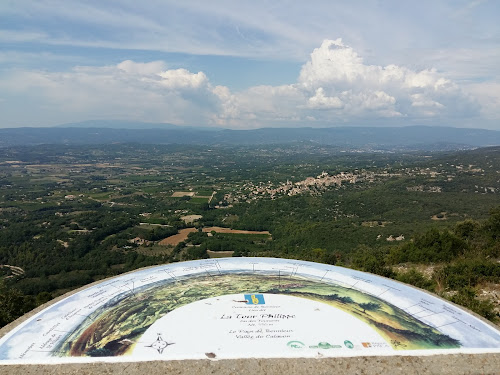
(336, 78)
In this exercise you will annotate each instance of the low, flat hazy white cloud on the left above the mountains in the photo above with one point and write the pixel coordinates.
(128, 90)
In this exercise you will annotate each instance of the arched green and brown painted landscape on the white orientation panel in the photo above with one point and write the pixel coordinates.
(116, 327)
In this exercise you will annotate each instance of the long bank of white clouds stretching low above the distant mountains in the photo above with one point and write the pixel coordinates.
(334, 87)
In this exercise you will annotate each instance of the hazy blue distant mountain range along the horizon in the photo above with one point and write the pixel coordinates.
(363, 138)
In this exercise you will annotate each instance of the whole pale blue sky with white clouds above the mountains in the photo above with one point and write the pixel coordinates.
(250, 64)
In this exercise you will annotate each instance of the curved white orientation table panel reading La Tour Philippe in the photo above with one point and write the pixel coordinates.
(243, 308)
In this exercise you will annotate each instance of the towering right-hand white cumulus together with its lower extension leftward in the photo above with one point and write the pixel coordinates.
(335, 85)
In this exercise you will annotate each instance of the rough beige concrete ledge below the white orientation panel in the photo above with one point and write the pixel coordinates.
(486, 364)
